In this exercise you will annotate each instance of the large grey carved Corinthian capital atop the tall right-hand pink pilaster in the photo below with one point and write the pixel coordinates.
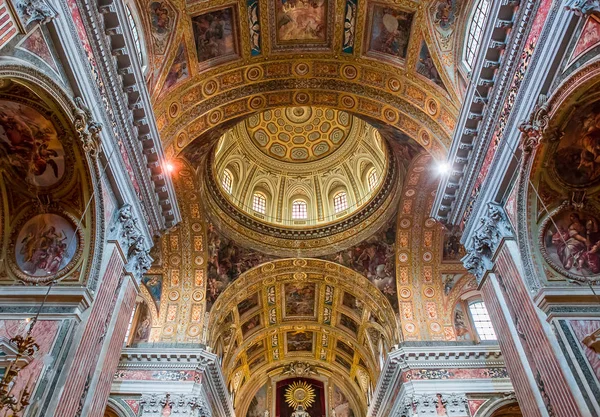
(481, 249)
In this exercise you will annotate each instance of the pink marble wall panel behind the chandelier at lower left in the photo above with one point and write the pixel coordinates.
(44, 334)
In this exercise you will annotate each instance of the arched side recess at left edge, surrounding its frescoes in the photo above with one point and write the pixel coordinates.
(70, 154)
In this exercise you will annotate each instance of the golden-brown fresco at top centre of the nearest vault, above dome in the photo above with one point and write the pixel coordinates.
(301, 20)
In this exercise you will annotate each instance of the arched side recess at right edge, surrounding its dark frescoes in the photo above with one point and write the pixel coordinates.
(539, 211)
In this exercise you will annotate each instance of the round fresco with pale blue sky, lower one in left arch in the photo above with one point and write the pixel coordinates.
(45, 245)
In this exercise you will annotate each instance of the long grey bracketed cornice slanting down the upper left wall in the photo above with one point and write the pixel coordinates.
(124, 82)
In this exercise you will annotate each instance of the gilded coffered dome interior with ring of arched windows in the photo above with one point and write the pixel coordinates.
(300, 167)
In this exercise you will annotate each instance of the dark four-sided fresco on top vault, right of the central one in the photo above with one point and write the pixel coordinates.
(390, 31)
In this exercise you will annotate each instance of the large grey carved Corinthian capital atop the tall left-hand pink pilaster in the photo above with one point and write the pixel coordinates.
(126, 231)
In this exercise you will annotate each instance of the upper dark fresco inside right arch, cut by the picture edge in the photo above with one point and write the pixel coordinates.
(577, 159)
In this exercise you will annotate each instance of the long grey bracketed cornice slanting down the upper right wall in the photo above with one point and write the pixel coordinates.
(484, 101)
